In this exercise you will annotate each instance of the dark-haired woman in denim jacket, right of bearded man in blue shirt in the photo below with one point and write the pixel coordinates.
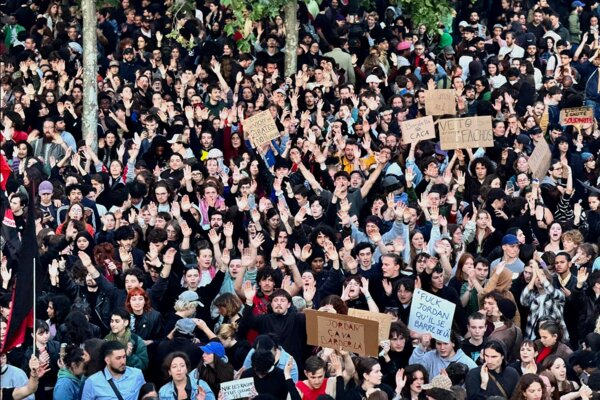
(181, 386)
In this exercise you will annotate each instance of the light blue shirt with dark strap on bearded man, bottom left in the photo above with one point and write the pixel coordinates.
(129, 384)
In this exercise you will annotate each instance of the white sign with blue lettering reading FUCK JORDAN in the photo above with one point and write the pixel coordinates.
(431, 314)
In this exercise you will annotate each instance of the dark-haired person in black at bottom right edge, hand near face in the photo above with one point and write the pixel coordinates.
(494, 378)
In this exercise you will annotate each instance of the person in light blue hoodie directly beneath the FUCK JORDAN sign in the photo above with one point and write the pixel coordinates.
(441, 356)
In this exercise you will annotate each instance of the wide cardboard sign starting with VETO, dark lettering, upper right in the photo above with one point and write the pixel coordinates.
(470, 132)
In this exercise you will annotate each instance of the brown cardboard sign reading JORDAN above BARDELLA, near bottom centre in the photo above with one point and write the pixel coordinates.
(342, 331)
